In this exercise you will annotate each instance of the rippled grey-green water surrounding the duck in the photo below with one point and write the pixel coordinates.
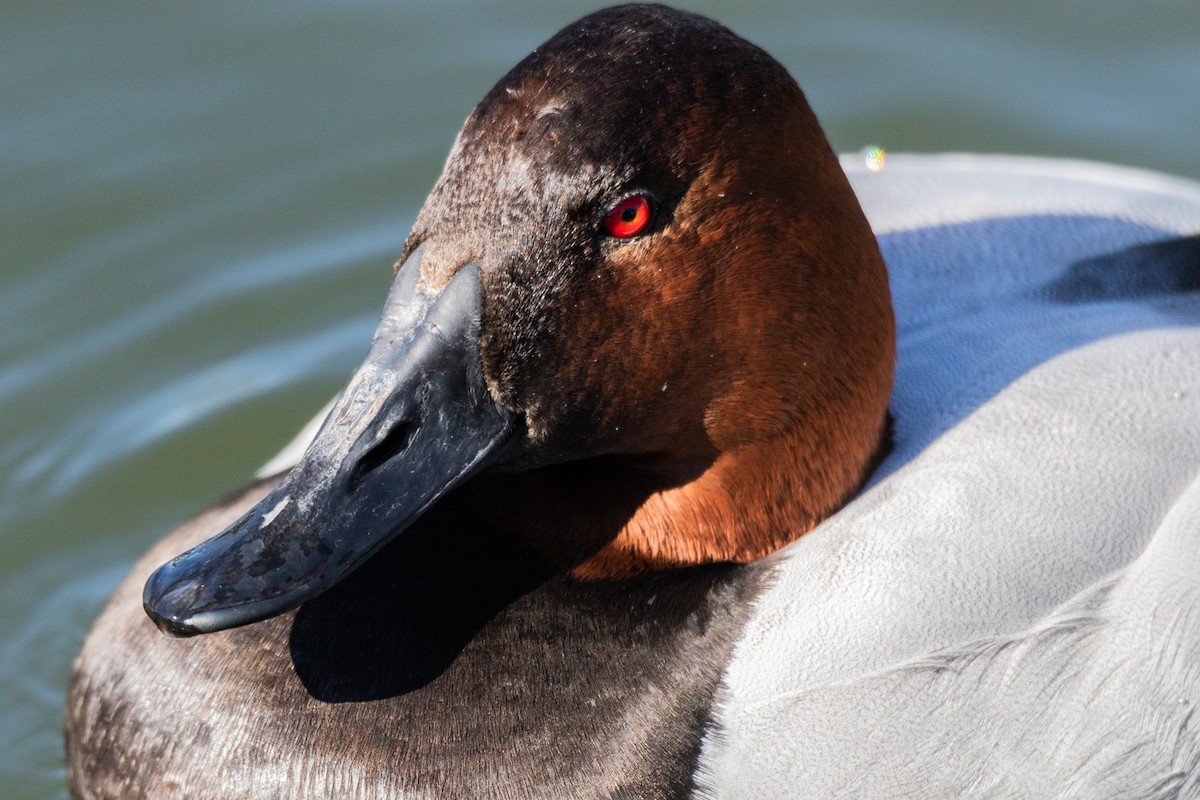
(202, 202)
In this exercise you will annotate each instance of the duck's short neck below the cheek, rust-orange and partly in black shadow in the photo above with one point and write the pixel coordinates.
(611, 519)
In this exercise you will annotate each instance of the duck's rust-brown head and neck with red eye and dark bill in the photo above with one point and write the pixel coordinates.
(641, 300)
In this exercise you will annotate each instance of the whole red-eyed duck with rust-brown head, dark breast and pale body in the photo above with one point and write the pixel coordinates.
(550, 542)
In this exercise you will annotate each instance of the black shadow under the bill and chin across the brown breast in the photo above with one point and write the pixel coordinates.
(403, 619)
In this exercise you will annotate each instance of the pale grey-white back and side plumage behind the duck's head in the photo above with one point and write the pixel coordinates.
(1013, 606)
